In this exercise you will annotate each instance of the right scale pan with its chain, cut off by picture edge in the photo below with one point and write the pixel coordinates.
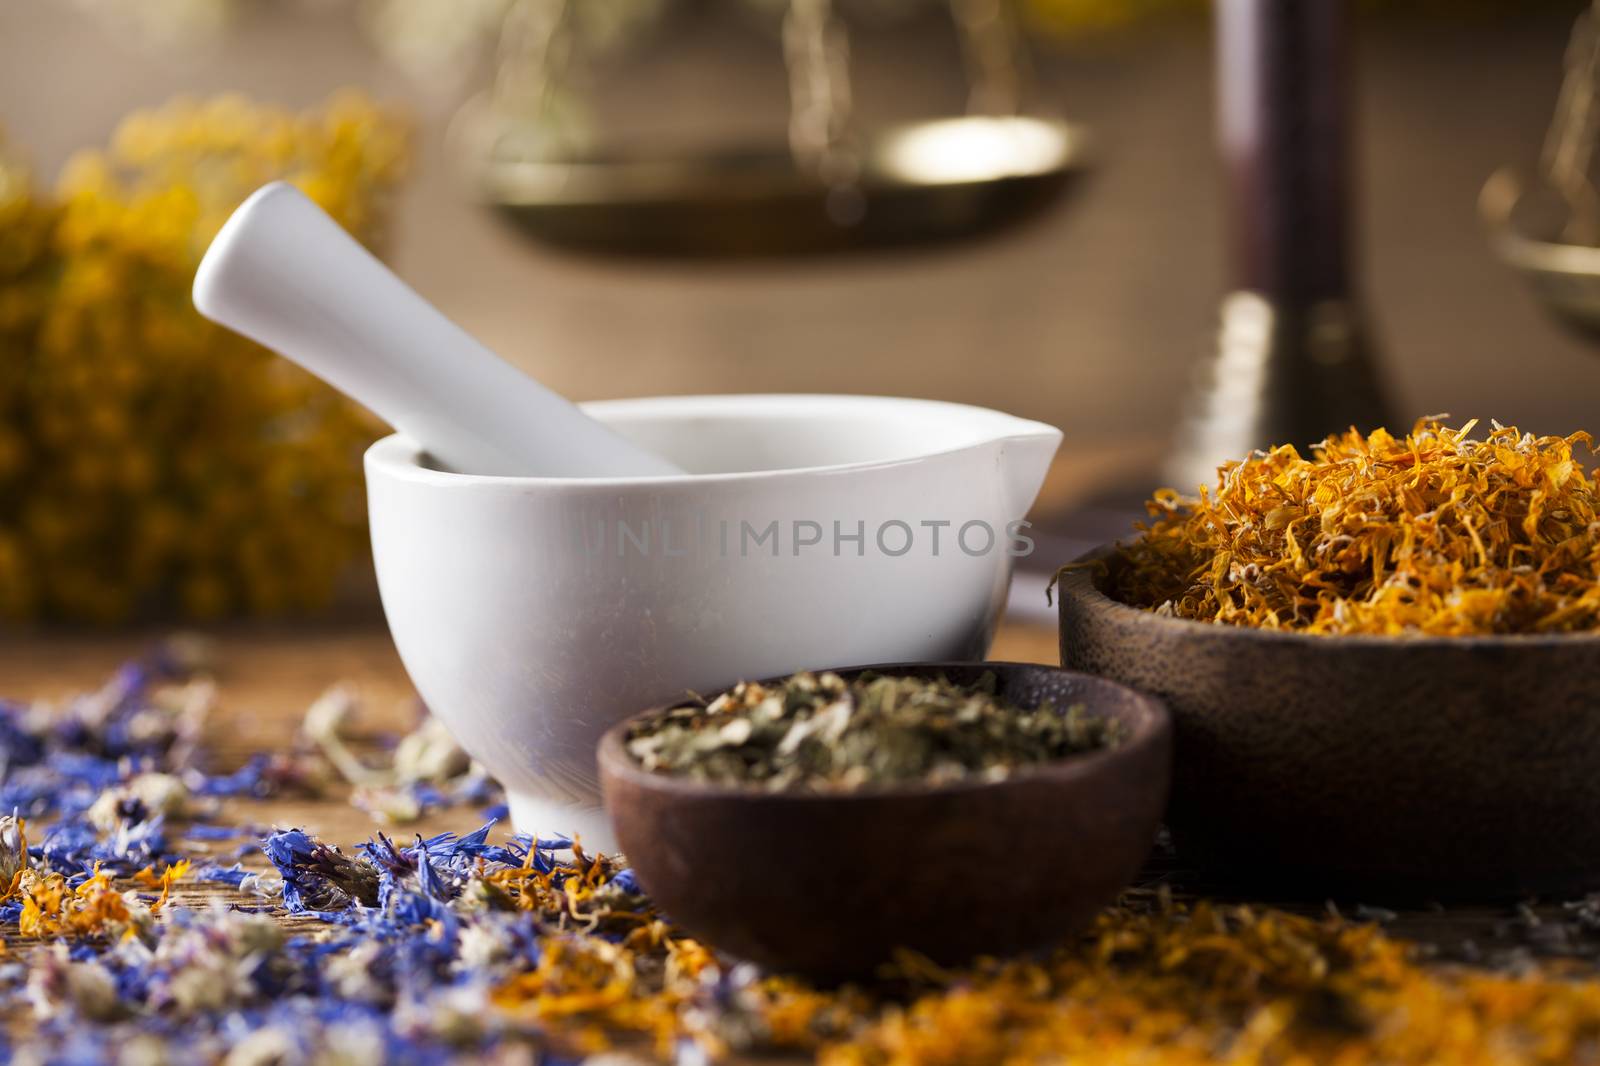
(1550, 230)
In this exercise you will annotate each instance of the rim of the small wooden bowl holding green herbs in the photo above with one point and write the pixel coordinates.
(1151, 729)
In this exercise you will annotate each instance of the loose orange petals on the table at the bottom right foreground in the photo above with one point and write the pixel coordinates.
(1215, 985)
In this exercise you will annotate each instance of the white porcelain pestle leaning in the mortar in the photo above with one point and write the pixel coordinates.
(287, 276)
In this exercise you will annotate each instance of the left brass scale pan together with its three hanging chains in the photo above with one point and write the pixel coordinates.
(825, 191)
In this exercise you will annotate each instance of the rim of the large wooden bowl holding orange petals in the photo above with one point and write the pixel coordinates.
(1076, 580)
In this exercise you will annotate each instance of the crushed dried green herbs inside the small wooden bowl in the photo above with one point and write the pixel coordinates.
(818, 732)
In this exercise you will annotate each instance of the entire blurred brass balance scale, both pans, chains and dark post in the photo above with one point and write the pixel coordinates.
(1294, 359)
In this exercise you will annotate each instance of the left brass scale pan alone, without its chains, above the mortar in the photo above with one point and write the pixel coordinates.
(919, 182)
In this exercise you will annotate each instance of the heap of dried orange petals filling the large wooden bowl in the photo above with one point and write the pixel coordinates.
(1434, 534)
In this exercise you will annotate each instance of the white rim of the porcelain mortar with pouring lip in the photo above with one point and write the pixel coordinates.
(401, 459)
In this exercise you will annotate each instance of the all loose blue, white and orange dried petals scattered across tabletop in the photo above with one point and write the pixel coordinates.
(494, 948)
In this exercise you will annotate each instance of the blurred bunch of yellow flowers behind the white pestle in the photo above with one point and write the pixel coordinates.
(153, 463)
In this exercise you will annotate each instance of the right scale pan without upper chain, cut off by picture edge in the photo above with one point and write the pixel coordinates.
(1526, 234)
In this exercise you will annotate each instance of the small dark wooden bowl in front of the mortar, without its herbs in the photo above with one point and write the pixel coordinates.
(831, 886)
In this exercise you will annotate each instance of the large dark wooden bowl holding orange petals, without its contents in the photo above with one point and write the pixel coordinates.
(1390, 767)
